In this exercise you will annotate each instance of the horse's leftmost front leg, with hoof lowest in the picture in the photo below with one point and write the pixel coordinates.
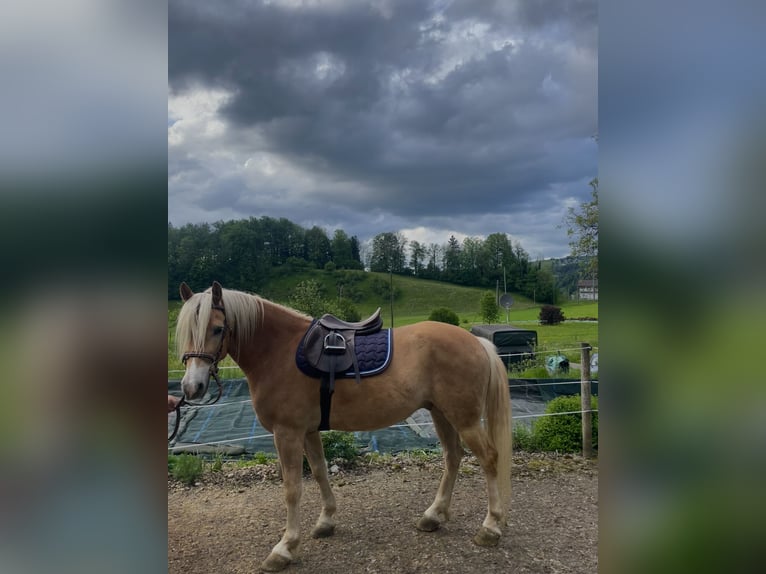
(289, 443)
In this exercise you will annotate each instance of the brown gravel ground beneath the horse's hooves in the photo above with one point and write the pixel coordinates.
(231, 519)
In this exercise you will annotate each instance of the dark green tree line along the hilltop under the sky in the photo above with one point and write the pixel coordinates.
(245, 254)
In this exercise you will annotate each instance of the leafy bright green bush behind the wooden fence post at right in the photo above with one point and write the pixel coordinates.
(563, 433)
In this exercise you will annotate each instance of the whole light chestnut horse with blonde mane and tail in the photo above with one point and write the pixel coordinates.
(456, 376)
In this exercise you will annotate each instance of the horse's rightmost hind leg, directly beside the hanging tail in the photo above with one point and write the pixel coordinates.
(477, 440)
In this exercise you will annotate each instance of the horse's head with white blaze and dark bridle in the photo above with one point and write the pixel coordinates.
(202, 335)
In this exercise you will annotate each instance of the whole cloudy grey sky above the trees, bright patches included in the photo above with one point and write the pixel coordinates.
(430, 118)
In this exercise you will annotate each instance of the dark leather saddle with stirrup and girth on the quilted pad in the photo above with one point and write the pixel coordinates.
(328, 347)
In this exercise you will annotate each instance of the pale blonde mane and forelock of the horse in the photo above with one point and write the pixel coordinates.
(244, 313)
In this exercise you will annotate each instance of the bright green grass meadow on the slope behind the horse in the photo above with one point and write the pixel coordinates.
(416, 299)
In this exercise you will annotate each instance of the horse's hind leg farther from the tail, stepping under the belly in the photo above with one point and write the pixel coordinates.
(438, 512)
